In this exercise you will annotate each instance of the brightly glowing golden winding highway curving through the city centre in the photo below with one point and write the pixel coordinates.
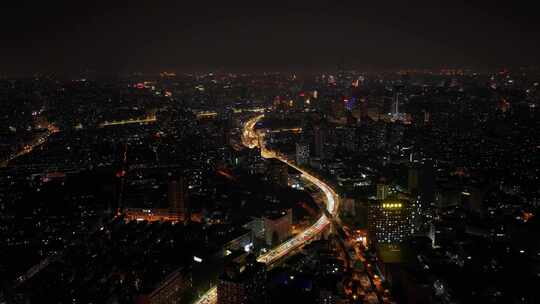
(252, 139)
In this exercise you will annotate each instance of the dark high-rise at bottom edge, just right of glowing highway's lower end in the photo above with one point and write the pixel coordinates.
(242, 283)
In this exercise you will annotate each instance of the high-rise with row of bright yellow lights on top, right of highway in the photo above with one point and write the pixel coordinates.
(388, 221)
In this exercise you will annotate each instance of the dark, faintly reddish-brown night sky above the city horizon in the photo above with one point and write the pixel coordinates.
(121, 36)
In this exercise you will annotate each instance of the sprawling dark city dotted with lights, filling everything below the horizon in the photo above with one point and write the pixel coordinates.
(195, 188)
